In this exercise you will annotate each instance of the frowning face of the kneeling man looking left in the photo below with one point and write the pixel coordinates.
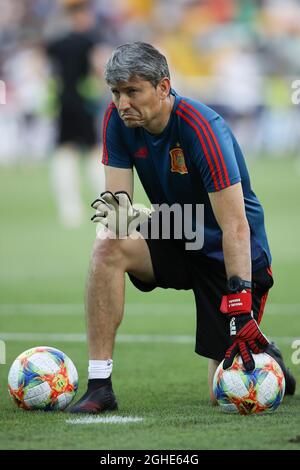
(138, 102)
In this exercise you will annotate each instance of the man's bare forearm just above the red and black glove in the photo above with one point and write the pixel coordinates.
(237, 251)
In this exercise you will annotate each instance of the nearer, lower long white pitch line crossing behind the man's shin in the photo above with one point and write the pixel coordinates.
(122, 338)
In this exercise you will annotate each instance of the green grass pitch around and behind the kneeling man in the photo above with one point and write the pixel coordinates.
(42, 279)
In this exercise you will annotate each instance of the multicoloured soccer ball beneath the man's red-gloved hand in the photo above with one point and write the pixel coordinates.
(239, 391)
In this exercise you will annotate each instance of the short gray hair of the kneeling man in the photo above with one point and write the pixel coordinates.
(136, 59)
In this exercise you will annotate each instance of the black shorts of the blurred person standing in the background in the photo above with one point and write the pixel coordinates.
(77, 127)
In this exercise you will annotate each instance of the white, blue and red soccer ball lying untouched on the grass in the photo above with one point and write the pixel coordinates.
(42, 378)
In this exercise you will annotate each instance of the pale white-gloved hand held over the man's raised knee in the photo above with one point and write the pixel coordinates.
(116, 212)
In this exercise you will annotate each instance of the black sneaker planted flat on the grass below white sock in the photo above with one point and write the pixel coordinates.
(96, 400)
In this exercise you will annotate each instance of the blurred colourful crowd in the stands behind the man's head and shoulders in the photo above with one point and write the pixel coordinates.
(238, 56)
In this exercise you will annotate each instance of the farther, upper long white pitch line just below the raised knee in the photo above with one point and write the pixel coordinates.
(158, 309)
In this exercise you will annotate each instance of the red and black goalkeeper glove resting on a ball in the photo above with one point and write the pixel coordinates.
(246, 336)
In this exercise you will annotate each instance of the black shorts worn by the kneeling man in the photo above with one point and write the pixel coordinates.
(179, 269)
